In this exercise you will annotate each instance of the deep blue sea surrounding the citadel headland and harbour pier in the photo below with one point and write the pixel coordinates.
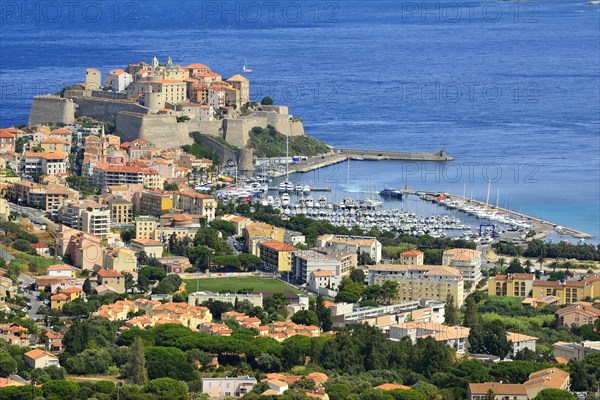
(510, 89)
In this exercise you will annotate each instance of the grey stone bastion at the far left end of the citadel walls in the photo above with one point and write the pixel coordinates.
(51, 109)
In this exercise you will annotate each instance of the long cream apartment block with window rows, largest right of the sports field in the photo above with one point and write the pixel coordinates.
(424, 281)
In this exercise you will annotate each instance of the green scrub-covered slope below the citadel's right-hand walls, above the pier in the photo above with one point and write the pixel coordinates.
(269, 142)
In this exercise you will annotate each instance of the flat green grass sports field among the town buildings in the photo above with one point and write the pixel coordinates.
(234, 284)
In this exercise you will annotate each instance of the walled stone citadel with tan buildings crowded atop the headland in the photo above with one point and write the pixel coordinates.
(163, 103)
